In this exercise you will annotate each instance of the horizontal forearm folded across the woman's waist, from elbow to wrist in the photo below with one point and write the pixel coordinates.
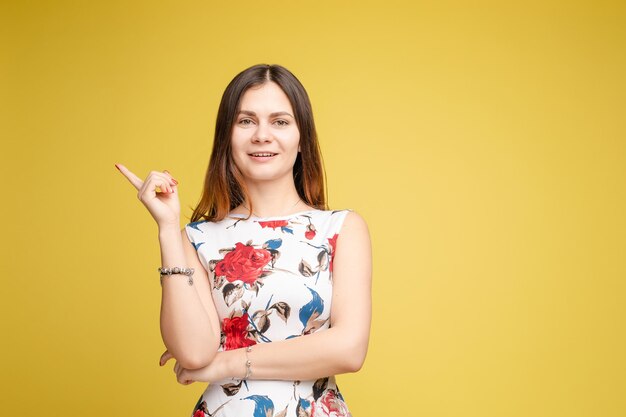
(323, 353)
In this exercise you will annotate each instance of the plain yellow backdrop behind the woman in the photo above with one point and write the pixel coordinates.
(483, 141)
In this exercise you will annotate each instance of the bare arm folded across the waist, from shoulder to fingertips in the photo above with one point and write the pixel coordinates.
(341, 348)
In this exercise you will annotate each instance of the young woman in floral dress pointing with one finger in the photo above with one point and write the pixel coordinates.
(254, 318)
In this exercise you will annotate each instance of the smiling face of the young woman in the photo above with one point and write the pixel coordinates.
(265, 137)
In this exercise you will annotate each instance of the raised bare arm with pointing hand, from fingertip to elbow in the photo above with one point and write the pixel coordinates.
(189, 323)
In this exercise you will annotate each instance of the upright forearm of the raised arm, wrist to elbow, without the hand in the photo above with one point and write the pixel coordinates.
(185, 325)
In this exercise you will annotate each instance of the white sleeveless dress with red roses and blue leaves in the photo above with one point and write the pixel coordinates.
(271, 279)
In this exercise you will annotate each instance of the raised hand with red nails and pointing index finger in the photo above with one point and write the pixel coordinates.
(163, 205)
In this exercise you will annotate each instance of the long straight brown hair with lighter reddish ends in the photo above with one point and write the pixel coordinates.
(224, 187)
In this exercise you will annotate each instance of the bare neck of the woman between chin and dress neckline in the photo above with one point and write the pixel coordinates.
(272, 199)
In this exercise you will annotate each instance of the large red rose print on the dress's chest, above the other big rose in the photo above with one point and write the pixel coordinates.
(244, 263)
